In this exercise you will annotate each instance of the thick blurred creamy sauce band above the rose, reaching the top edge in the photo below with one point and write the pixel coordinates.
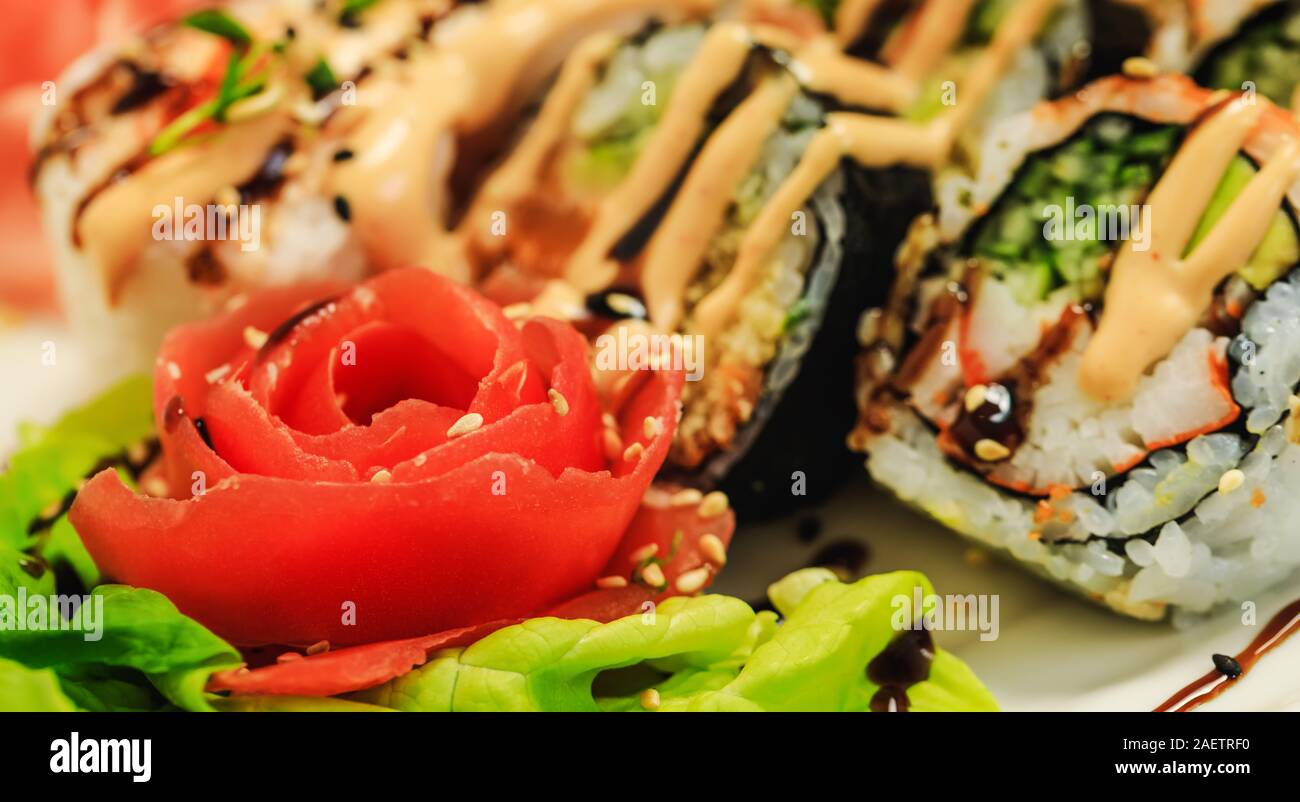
(398, 211)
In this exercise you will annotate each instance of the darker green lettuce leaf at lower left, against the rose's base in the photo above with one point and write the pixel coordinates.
(138, 630)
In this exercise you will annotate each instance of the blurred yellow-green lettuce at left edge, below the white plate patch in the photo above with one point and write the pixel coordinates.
(51, 461)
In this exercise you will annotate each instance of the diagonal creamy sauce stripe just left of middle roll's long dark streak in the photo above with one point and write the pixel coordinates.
(720, 60)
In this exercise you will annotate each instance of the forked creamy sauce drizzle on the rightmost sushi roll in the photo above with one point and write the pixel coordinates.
(1155, 297)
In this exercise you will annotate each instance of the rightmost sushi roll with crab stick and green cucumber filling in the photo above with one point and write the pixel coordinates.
(1090, 359)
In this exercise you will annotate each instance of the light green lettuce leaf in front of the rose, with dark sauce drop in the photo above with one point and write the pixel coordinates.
(707, 653)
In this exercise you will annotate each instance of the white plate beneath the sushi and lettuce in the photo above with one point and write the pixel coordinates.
(1054, 652)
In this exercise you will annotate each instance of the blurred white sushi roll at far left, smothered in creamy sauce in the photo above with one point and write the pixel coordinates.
(271, 144)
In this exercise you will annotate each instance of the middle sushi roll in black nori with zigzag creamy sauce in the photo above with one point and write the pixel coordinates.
(725, 185)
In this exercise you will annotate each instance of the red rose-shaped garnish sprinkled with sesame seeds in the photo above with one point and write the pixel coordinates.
(382, 463)
